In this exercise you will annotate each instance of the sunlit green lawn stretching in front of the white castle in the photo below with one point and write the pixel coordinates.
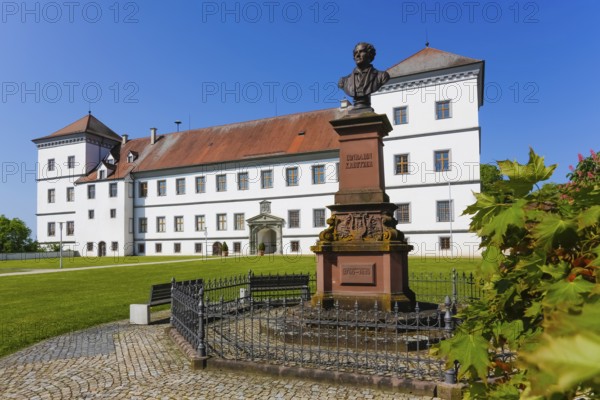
(37, 307)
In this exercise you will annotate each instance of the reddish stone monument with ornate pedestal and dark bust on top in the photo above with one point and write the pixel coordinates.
(361, 257)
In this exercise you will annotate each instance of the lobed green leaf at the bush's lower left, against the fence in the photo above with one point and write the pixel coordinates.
(471, 351)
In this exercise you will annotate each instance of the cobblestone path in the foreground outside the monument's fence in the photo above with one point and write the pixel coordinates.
(122, 361)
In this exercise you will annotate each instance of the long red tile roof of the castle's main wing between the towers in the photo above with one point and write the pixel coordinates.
(305, 132)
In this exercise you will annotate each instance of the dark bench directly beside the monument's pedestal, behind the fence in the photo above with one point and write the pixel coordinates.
(267, 286)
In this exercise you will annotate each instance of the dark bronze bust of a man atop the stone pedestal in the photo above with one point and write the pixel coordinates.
(364, 79)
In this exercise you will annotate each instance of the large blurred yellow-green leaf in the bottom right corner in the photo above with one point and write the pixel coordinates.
(570, 360)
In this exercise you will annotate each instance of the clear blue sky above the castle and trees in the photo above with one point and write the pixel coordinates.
(146, 64)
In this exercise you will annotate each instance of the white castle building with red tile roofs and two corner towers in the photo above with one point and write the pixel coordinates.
(267, 181)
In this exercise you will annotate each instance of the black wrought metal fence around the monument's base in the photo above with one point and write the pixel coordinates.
(219, 318)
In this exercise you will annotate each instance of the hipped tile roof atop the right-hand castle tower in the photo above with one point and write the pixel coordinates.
(429, 59)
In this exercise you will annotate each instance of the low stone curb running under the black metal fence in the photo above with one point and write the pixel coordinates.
(407, 386)
